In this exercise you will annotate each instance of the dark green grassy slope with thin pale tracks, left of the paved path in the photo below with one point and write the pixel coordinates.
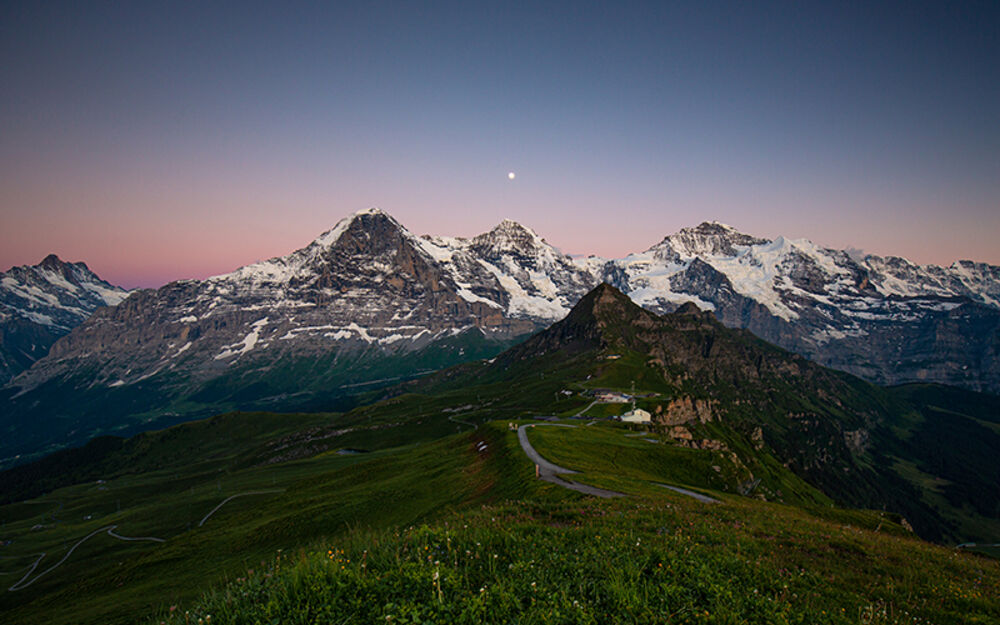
(111, 581)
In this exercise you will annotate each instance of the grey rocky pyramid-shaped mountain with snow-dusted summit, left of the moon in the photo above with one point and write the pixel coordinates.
(368, 283)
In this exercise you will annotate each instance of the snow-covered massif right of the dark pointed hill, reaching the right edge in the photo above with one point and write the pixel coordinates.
(883, 319)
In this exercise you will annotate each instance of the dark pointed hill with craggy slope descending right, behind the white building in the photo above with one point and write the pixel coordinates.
(712, 387)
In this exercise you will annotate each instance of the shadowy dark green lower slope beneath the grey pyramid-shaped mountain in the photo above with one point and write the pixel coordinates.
(71, 410)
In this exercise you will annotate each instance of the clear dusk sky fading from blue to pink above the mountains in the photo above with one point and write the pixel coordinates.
(168, 140)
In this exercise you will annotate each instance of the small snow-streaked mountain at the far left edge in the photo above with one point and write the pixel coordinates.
(39, 303)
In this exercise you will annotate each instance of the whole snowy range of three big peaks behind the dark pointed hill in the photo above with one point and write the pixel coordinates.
(368, 302)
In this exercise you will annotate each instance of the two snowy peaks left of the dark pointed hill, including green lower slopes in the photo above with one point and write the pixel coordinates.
(365, 304)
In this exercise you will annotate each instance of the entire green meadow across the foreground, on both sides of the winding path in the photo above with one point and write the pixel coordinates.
(453, 528)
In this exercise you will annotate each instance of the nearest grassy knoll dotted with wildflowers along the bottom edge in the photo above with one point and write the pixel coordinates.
(654, 560)
